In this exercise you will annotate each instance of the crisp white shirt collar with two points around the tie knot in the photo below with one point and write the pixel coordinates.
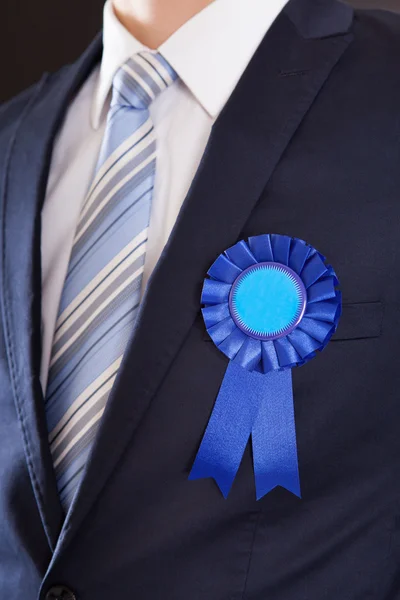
(210, 52)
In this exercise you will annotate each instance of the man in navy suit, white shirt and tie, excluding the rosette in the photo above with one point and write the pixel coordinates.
(185, 128)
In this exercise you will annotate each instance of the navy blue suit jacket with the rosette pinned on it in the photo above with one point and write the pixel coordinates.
(307, 146)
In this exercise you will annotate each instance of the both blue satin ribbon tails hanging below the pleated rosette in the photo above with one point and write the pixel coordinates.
(253, 404)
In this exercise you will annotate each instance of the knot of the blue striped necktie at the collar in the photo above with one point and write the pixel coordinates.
(141, 79)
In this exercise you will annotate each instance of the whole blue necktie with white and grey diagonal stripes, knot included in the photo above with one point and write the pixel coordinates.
(101, 294)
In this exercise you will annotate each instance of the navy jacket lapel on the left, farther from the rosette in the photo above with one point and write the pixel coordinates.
(24, 185)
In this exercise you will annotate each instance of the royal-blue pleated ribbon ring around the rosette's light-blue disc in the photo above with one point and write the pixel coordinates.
(311, 335)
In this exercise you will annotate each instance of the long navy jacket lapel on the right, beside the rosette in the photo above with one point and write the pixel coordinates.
(246, 144)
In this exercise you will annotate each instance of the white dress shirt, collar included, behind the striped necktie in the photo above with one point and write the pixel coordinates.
(210, 53)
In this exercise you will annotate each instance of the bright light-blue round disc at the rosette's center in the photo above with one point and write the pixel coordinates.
(268, 301)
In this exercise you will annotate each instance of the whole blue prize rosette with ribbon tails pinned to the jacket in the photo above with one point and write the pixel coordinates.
(269, 305)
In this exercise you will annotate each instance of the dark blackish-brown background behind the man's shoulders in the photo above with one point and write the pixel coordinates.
(42, 35)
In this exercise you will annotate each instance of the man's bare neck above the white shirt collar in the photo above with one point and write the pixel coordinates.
(154, 21)
